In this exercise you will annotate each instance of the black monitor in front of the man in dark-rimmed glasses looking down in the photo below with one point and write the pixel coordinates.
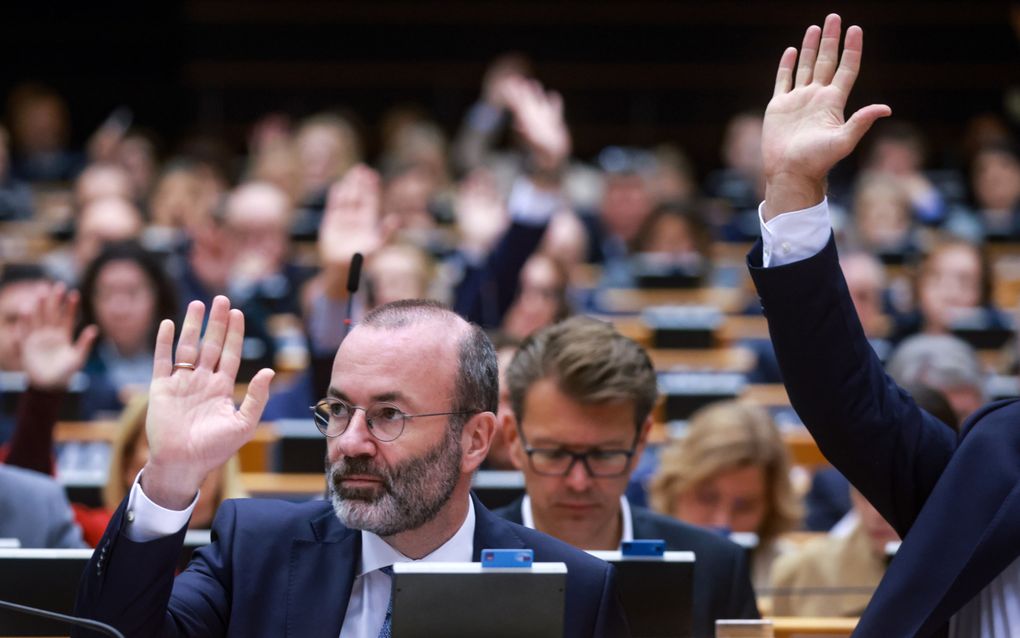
(657, 593)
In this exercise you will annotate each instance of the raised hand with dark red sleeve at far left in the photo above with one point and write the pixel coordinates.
(49, 356)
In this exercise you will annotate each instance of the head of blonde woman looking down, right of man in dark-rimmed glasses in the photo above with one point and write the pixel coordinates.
(731, 473)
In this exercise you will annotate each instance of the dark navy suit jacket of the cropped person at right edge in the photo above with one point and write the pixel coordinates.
(955, 501)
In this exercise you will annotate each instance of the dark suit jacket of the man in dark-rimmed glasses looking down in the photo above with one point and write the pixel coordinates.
(723, 579)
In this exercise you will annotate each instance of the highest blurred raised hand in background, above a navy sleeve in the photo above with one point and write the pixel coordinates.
(539, 119)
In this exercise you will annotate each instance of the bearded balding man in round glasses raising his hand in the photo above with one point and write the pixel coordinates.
(410, 417)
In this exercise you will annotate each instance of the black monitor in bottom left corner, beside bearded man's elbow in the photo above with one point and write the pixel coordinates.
(40, 578)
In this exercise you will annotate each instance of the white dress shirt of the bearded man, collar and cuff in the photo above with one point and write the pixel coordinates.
(371, 594)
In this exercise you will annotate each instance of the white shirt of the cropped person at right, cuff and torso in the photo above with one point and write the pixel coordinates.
(995, 612)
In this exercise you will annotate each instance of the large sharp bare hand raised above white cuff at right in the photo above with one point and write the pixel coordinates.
(804, 134)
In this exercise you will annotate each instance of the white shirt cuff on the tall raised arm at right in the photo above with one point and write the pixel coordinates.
(795, 236)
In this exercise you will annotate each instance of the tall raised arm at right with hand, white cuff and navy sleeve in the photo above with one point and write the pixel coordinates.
(864, 424)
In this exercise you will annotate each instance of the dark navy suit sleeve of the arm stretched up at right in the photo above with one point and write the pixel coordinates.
(866, 426)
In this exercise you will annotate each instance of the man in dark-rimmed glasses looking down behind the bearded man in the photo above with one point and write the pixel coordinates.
(583, 397)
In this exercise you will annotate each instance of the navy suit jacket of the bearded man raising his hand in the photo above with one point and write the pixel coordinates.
(282, 569)
